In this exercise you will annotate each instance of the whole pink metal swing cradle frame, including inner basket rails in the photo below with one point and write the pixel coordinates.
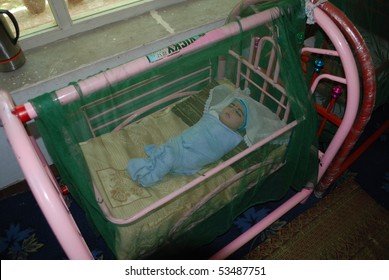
(44, 186)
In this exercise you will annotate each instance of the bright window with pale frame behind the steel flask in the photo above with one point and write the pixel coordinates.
(44, 21)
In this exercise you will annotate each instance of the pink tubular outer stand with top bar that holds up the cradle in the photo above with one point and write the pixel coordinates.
(51, 201)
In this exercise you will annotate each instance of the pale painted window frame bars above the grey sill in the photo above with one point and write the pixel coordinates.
(67, 27)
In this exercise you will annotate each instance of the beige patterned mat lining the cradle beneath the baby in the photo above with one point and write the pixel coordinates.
(107, 157)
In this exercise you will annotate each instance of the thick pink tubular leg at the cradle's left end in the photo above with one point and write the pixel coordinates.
(47, 196)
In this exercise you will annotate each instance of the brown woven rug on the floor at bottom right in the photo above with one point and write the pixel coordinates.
(346, 224)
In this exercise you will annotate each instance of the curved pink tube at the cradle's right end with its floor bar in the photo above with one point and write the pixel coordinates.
(352, 81)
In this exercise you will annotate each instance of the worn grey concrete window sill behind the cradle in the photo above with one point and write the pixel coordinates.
(57, 64)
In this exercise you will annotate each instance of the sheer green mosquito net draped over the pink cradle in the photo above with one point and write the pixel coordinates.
(64, 127)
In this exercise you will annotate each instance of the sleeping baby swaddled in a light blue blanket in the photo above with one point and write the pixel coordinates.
(214, 135)
